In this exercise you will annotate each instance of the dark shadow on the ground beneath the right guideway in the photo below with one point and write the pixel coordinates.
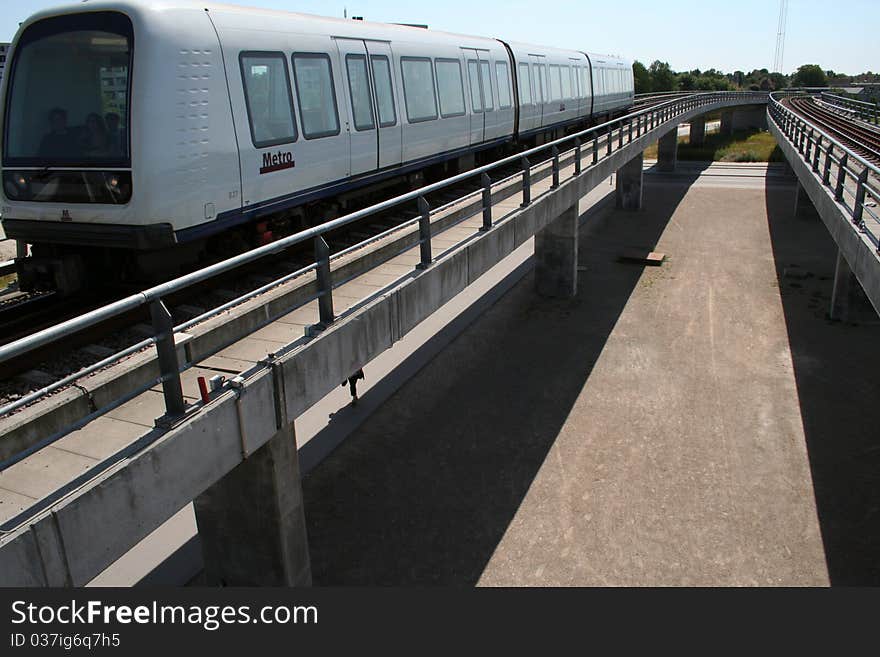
(836, 367)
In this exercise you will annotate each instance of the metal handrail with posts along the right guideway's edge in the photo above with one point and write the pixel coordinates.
(812, 143)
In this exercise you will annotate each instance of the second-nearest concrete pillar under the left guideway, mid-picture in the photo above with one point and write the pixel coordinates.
(556, 256)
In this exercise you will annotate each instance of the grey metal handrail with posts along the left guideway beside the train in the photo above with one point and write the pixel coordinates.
(642, 120)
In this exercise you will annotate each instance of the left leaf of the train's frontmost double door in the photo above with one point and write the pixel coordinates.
(361, 121)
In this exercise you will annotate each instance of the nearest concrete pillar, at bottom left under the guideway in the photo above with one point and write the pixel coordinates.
(251, 522)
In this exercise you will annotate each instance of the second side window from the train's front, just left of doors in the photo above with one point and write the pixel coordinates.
(315, 94)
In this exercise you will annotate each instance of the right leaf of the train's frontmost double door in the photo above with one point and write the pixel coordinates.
(382, 77)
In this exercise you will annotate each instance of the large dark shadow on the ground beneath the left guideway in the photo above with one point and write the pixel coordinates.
(426, 488)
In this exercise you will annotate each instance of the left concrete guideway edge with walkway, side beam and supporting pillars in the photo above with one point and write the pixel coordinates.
(288, 348)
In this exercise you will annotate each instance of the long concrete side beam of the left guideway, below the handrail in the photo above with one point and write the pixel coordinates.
(78, 537)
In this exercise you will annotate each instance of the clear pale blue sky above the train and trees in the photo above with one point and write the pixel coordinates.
(727, 35)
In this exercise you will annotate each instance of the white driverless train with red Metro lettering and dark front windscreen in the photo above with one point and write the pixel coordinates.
(149, 129)
